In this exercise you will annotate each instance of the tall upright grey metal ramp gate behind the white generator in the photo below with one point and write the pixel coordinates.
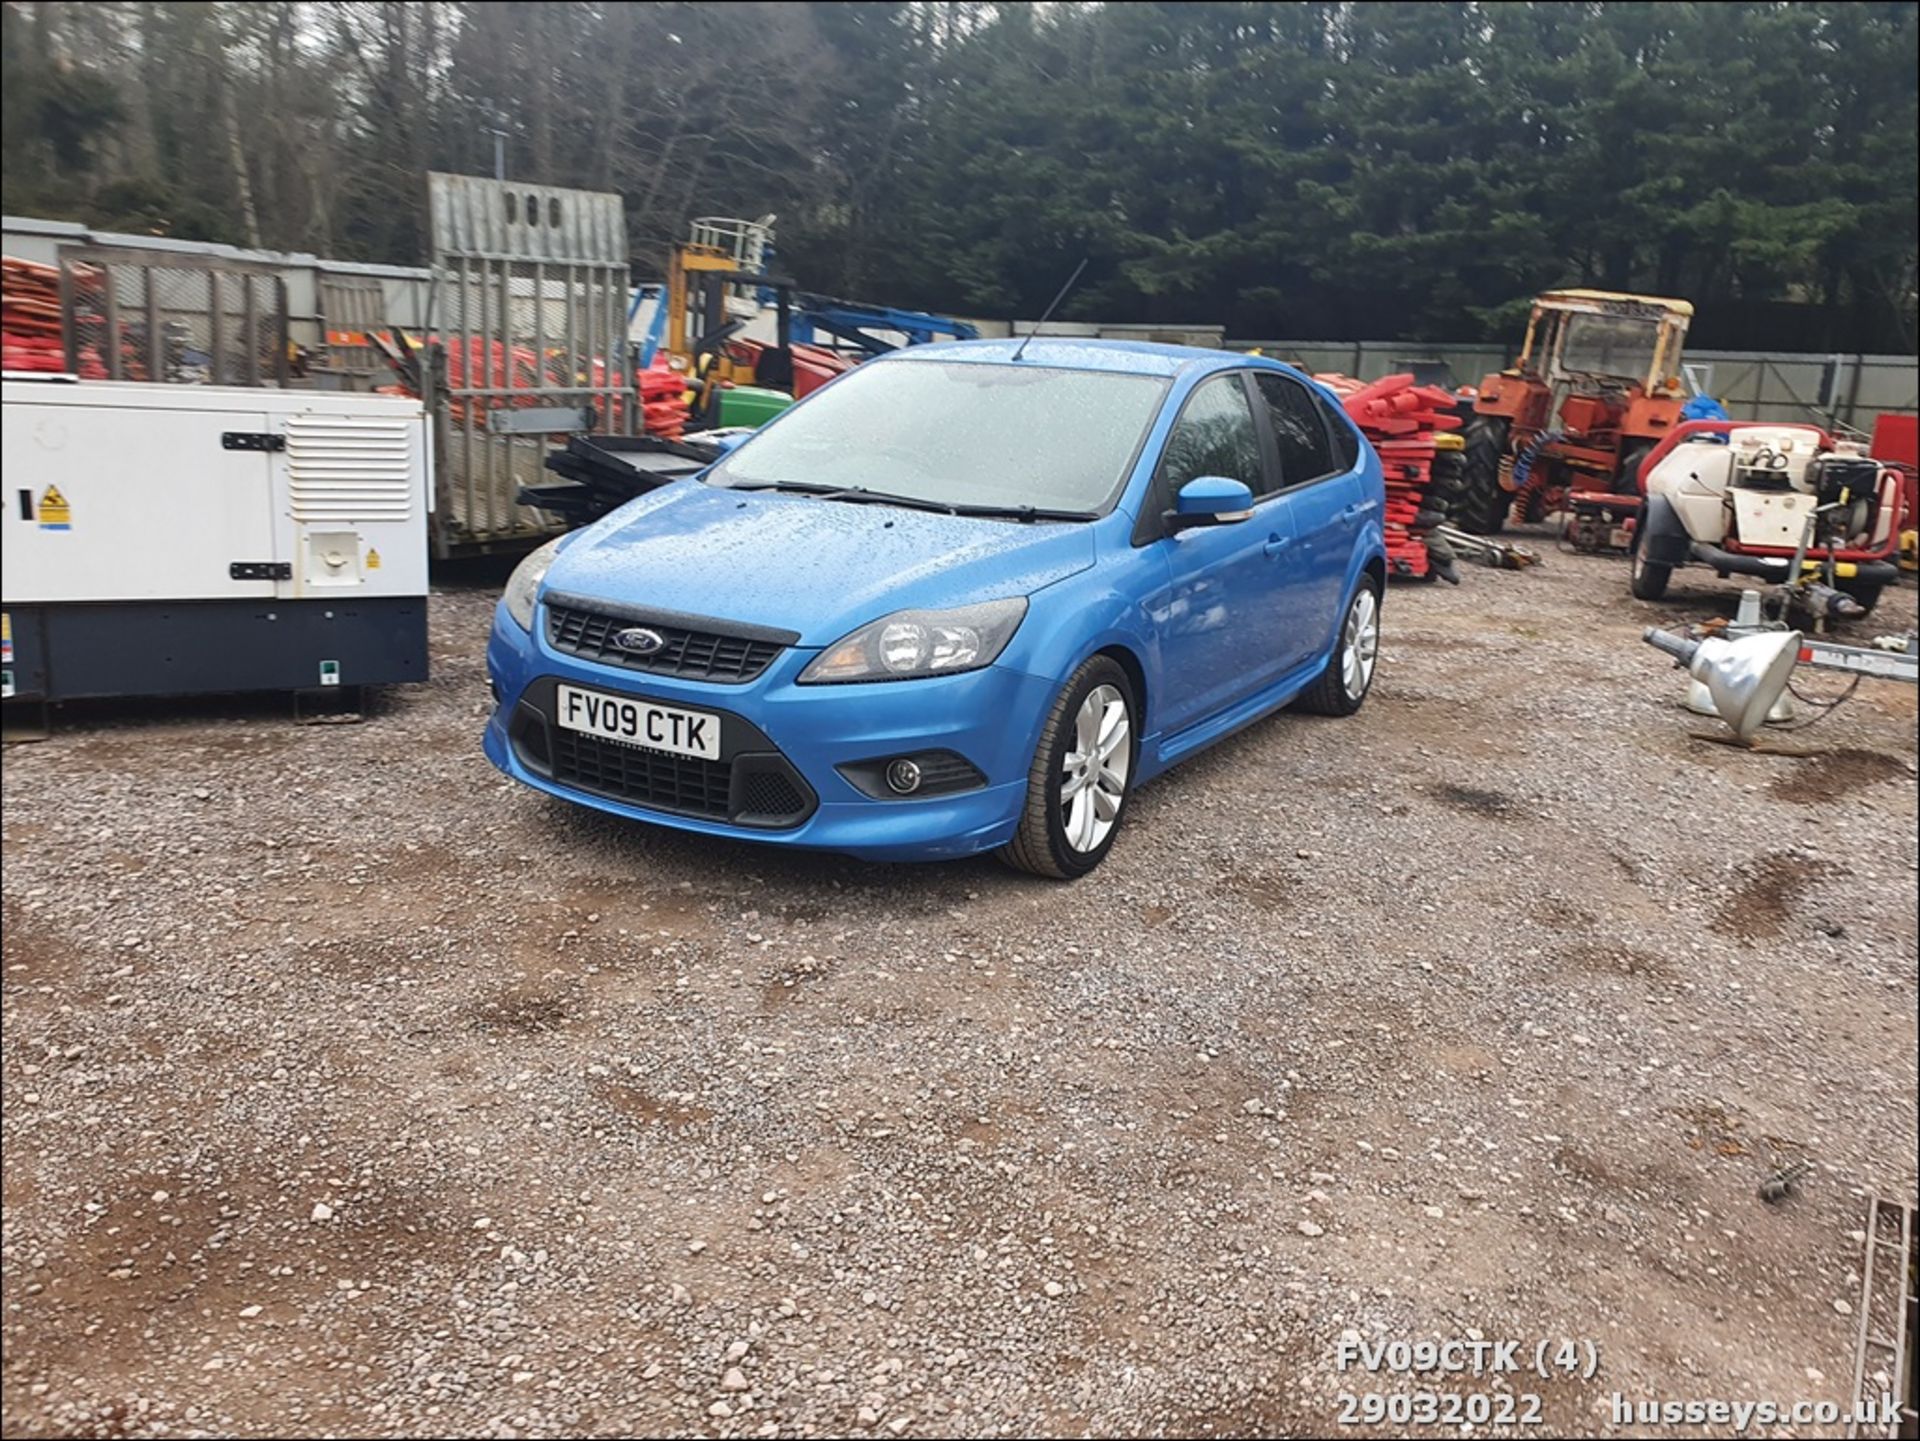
(529, 304)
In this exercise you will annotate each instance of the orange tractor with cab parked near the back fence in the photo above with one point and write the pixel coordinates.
(1596, 389)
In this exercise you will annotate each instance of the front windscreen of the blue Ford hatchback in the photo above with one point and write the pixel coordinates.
(959, 435)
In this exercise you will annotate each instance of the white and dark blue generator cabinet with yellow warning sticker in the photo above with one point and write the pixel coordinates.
(174, 540)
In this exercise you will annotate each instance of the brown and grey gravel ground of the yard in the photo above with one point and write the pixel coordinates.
(352, 1089)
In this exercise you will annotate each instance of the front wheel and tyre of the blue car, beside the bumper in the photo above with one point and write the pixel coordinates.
(1078, 782)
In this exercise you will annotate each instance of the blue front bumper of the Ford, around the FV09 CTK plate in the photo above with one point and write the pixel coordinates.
(779, 734)
